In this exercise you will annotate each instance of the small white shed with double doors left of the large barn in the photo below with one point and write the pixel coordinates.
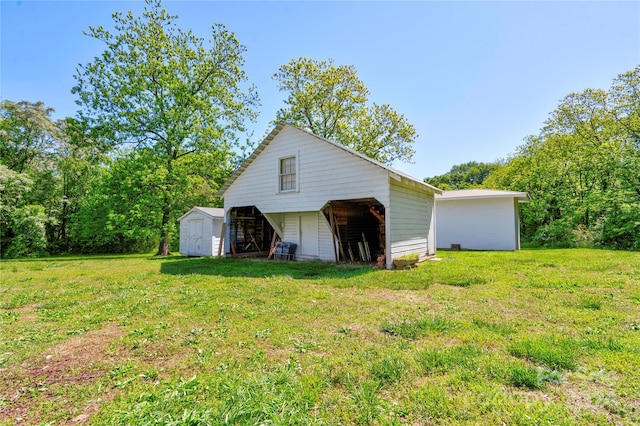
(200, 231)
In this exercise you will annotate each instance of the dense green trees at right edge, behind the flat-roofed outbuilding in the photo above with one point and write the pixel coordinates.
(583, 170)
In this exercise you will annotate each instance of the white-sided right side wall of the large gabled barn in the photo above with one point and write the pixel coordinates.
(411, 221)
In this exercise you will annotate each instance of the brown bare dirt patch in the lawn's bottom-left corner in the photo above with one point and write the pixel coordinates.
(37, 384)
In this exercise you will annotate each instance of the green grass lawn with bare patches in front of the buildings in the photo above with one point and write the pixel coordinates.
(524, 338)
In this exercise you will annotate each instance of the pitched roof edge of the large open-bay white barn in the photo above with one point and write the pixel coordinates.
(394, 173)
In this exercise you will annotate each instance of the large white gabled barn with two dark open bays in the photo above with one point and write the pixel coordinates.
(332, 202)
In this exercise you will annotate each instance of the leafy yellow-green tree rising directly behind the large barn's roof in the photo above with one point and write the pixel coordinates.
(332, 102)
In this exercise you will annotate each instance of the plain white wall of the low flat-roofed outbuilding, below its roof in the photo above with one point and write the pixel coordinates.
(477, 224)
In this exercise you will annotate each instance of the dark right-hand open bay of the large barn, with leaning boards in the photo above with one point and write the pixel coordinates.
(358, 228)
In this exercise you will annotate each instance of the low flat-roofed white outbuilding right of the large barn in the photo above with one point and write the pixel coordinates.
(479, 219)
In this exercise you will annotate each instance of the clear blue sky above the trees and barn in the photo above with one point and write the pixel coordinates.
(474, 78)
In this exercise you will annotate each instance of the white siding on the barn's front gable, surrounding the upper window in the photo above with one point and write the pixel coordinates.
(325, 173)
